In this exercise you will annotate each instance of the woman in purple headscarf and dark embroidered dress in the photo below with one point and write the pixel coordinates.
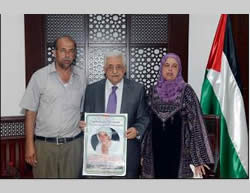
(177, 136)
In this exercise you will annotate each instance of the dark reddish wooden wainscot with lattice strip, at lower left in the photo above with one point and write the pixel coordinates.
(13, 149)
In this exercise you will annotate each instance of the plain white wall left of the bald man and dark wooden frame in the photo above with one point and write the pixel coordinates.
(12, 63)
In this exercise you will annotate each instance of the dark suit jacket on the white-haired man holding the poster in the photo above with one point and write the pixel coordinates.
(134, 104)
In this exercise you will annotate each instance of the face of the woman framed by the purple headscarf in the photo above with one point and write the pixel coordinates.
(170, 69)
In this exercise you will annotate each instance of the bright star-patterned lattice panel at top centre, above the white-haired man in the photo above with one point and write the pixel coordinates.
(107, 28)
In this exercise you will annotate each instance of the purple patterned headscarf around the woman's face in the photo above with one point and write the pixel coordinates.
(168, 90)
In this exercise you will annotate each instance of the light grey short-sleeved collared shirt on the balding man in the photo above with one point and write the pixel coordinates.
(58, 105)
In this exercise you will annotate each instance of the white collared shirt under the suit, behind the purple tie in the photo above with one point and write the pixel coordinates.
(108, 90)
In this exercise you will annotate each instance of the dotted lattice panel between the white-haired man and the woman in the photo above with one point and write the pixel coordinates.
(144, 64)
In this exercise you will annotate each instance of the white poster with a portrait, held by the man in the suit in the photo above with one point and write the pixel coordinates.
(105, 144)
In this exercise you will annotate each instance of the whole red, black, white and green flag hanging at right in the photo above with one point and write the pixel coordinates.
(222, 95)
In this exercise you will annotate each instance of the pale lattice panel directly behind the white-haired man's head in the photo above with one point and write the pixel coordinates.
(96, 61)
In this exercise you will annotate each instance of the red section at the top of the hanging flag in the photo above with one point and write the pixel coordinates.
(214, 61)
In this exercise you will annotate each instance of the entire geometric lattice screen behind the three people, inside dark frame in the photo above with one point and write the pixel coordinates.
(142, 39)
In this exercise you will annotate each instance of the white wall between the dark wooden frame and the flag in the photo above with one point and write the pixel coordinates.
(202, 28)
